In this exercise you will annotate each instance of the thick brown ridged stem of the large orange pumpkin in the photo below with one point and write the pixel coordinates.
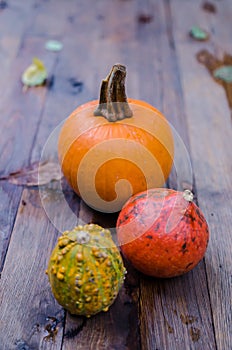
(113, 103)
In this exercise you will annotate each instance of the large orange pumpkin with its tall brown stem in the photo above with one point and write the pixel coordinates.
(113, 148)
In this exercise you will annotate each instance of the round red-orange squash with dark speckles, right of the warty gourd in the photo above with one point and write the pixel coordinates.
(162, 232)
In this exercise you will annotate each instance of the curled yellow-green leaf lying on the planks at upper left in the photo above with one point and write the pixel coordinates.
(35, 74)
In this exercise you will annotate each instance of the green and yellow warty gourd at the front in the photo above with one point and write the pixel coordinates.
(86, 270)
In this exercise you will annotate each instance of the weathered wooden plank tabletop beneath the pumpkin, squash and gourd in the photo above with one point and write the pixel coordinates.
(151, 37)
